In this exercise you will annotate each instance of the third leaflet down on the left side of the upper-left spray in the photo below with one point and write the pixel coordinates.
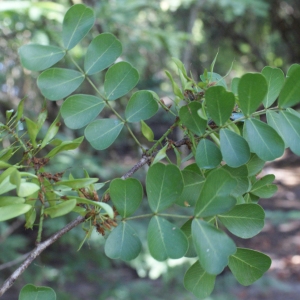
(79, 110)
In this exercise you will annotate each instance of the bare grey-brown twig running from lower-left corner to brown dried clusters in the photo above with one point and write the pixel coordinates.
(36, 252)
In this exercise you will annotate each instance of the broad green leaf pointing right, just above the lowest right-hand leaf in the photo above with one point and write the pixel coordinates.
(244, 220)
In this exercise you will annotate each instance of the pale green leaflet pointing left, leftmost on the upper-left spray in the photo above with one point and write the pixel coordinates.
(37, 57)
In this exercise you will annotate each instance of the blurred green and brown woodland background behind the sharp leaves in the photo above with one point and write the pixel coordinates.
(249, 34)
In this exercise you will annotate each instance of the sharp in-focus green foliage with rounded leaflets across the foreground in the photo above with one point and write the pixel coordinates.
(218, 190)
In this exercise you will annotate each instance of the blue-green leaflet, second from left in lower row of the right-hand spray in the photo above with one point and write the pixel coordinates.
(234, 148)
